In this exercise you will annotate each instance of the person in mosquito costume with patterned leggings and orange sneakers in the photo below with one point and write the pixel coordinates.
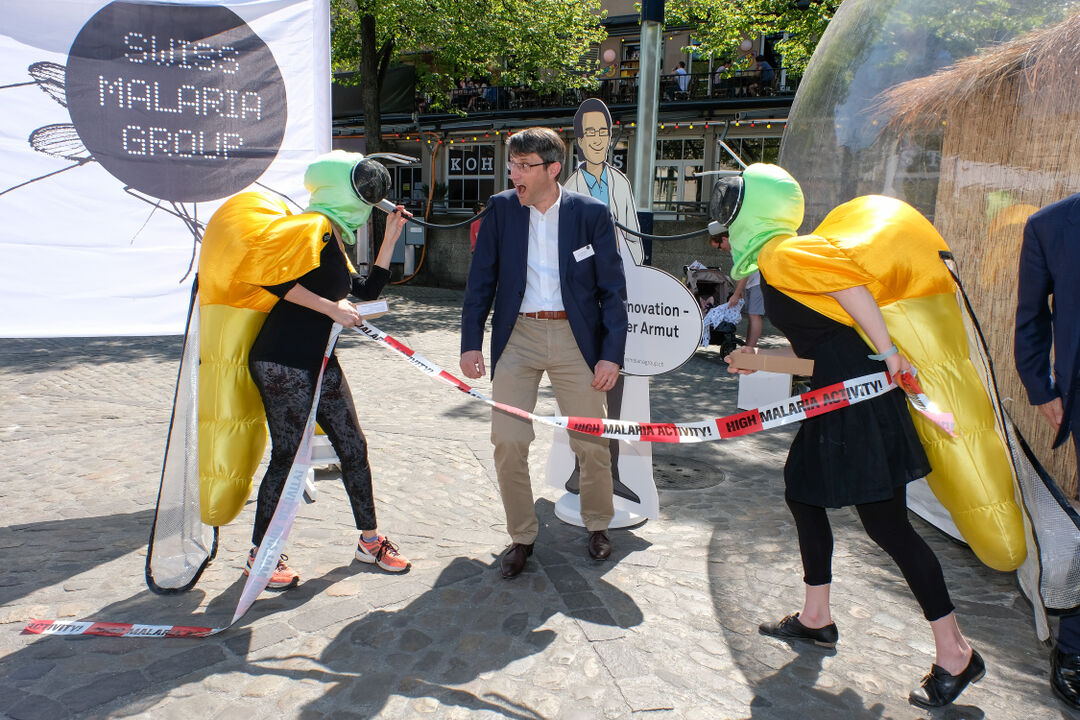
(272, 286)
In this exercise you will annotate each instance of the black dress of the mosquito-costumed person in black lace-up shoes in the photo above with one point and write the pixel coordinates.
(857, 455)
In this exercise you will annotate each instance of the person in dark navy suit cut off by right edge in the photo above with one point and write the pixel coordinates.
(1048, 316)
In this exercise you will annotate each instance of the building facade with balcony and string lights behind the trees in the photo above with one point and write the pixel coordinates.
(715, 118)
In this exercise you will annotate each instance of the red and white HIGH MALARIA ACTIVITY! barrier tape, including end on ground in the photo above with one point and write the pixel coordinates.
(776, 415)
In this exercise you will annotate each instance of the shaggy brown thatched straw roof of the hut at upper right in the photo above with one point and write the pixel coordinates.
(1044, 58)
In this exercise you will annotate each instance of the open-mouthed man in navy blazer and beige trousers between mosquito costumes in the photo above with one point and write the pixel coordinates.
(547, 259)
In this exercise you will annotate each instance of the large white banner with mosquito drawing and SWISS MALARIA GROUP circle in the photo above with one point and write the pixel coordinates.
(124, 127)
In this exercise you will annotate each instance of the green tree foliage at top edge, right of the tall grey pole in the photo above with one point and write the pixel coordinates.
(720, 26)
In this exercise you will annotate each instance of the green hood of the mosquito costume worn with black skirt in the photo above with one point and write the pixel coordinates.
(772, 206)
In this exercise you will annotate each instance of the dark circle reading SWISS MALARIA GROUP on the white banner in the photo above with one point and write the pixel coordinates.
(183, 103)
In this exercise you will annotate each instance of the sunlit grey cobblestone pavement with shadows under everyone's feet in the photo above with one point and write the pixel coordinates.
(666, 629)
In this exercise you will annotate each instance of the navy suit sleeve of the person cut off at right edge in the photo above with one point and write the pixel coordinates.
(1034, 334)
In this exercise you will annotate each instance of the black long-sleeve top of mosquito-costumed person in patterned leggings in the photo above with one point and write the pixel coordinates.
(296, 336)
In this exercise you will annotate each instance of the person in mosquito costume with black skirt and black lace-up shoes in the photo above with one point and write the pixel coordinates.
(868, 292)
